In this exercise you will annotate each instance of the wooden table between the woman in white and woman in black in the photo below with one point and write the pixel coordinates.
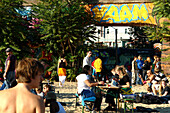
(105, 88)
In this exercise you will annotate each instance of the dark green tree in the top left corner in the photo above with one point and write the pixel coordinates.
(14, 31)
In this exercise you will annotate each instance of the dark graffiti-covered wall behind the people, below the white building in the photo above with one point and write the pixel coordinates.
(125, 56)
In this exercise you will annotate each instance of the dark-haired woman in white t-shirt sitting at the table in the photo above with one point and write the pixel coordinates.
(83, 82)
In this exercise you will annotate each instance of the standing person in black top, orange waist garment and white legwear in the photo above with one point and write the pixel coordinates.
(62, 63)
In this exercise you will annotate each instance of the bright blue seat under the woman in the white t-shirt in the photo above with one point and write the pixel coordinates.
(84, 100)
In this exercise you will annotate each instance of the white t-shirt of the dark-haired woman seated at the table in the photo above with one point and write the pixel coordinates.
(81, 84)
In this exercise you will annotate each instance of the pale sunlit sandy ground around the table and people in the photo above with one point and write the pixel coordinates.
(66, 94)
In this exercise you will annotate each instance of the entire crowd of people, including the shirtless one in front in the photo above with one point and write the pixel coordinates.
(27, 75)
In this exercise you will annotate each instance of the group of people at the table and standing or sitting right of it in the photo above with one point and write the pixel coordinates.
(143, 72)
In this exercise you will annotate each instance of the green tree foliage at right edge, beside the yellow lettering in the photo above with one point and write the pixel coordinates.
(162, 30)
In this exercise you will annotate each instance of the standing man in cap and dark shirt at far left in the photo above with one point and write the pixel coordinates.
(9, 72)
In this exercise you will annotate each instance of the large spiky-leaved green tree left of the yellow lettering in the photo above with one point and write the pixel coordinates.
(65, 26)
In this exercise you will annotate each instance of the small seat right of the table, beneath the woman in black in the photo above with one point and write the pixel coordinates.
(127, 98)
